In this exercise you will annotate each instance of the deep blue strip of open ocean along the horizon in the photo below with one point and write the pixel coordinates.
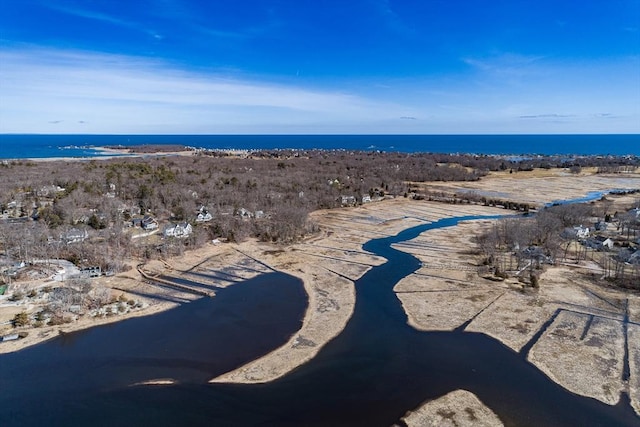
(22, 146)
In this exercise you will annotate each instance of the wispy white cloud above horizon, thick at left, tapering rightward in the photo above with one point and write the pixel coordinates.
(125, 94)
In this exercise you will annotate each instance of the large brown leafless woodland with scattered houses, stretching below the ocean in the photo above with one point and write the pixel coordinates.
(102, 212)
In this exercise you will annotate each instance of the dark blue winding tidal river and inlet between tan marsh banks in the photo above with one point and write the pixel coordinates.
(371, 374)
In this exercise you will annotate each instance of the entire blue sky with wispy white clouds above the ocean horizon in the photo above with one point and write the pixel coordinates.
(298, 66)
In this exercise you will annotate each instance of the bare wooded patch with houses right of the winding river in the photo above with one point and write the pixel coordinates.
(567, 233)
